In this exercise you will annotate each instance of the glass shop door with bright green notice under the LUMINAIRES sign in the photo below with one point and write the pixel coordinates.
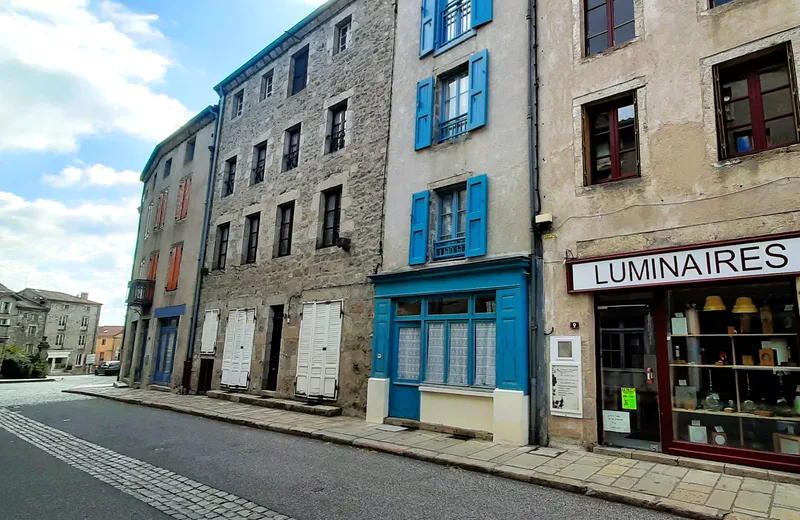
(629, 408)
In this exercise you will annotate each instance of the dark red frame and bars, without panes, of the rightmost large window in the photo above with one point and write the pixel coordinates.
(750, 70)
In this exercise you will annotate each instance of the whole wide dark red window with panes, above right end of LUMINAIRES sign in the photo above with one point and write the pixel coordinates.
(757, 104)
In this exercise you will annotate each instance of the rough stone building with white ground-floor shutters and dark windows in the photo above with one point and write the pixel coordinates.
(304, 125)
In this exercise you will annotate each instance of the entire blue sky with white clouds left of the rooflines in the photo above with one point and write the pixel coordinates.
(87, 89)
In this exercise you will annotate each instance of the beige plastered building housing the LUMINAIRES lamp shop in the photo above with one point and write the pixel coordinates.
(669, 143)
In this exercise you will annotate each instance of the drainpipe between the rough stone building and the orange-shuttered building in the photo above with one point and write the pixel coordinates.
(187, 364)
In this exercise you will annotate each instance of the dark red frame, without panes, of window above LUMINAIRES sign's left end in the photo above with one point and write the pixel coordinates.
(610, 107)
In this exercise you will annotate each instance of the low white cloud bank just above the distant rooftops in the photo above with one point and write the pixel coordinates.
(84, 247)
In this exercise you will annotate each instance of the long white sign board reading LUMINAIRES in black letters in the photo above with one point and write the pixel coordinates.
(760, 258)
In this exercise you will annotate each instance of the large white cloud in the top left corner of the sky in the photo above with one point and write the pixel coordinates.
(69, 73)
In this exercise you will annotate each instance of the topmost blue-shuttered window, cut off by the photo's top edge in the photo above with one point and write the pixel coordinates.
(445, 23)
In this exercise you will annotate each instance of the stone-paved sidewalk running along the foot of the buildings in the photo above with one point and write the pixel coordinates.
(678, 485)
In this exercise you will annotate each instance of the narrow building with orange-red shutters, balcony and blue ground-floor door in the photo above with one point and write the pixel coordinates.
(166, 262)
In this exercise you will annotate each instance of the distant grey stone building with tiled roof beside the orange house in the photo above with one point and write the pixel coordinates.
(70, 326)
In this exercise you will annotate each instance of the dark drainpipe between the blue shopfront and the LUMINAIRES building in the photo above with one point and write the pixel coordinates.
(538, 430)
